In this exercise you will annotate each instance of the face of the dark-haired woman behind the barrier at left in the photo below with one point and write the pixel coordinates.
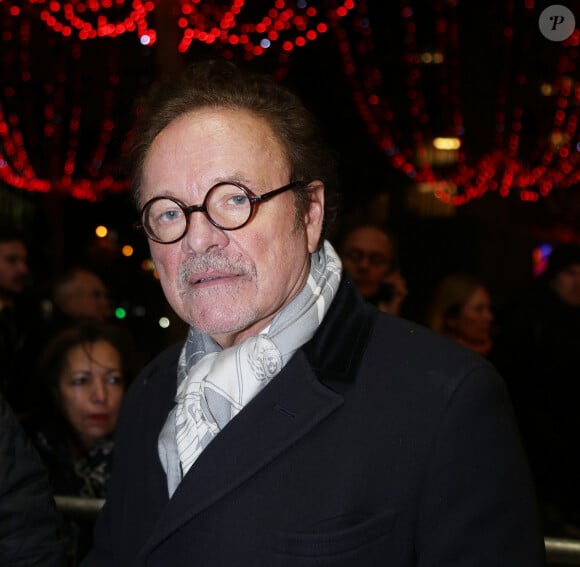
(90, 390)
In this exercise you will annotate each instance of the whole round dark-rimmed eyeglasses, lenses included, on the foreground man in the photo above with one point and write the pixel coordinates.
(228, 206)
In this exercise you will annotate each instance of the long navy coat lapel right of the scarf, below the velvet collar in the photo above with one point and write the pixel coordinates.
(292, 405)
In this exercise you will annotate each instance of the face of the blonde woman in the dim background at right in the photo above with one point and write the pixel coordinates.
(473, 324)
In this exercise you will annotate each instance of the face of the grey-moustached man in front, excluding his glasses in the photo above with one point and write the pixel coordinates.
(229, 284)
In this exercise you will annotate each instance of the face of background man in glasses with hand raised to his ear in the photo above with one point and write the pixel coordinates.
(367, 255)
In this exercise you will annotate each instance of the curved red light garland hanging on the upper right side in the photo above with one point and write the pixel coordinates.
(504, 168)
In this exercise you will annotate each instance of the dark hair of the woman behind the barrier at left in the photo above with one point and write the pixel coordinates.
(52, 360)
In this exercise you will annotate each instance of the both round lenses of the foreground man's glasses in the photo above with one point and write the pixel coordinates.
(226, 205)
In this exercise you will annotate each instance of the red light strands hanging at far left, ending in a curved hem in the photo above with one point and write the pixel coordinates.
(56, 158)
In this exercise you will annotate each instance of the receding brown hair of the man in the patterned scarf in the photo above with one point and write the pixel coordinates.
(221, 84)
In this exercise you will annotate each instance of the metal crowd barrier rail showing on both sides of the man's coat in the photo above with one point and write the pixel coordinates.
(558, 551)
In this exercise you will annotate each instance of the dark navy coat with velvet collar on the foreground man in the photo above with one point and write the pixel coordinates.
(379, 443)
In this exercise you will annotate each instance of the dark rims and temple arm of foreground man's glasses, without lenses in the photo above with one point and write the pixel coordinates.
(253, 199)
